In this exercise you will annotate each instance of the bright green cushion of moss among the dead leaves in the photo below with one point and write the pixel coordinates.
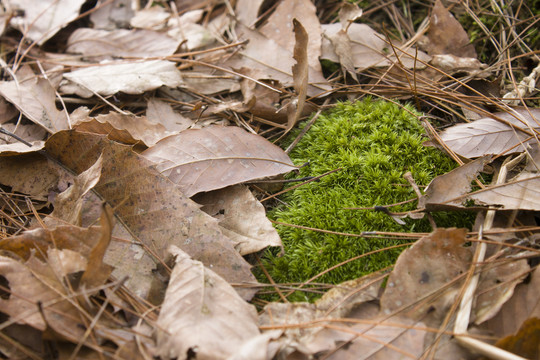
(375, 143)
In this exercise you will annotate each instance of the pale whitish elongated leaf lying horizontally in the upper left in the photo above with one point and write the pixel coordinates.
(133, 77)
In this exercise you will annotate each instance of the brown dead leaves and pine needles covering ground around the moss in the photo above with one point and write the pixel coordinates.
(137, 143)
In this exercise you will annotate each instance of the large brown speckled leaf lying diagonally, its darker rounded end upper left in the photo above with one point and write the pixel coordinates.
(149, 205)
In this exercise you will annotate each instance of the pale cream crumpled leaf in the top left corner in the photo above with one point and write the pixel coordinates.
(44, 18)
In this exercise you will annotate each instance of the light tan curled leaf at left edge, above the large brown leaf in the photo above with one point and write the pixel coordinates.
(35, 98)
